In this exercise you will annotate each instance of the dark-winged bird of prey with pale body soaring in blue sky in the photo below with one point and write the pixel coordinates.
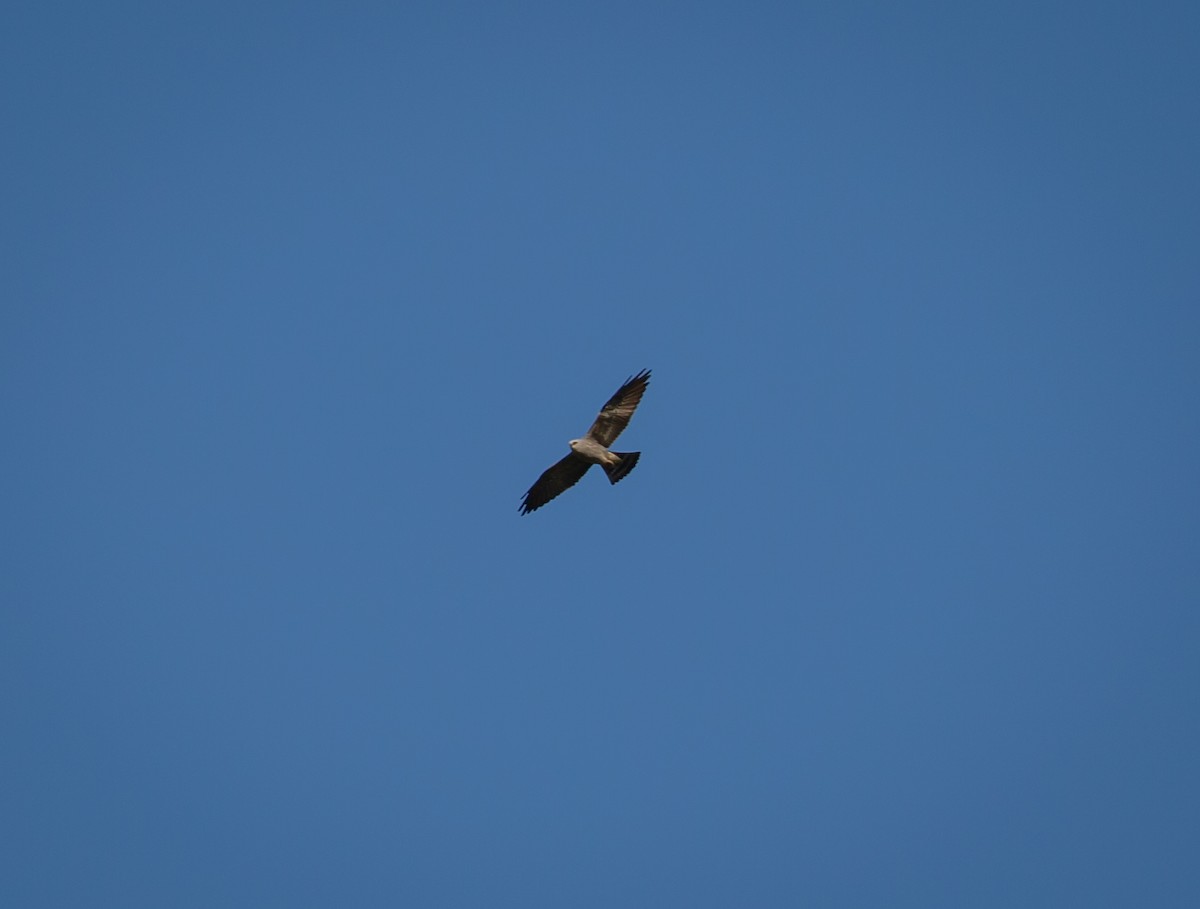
(593, 448)
